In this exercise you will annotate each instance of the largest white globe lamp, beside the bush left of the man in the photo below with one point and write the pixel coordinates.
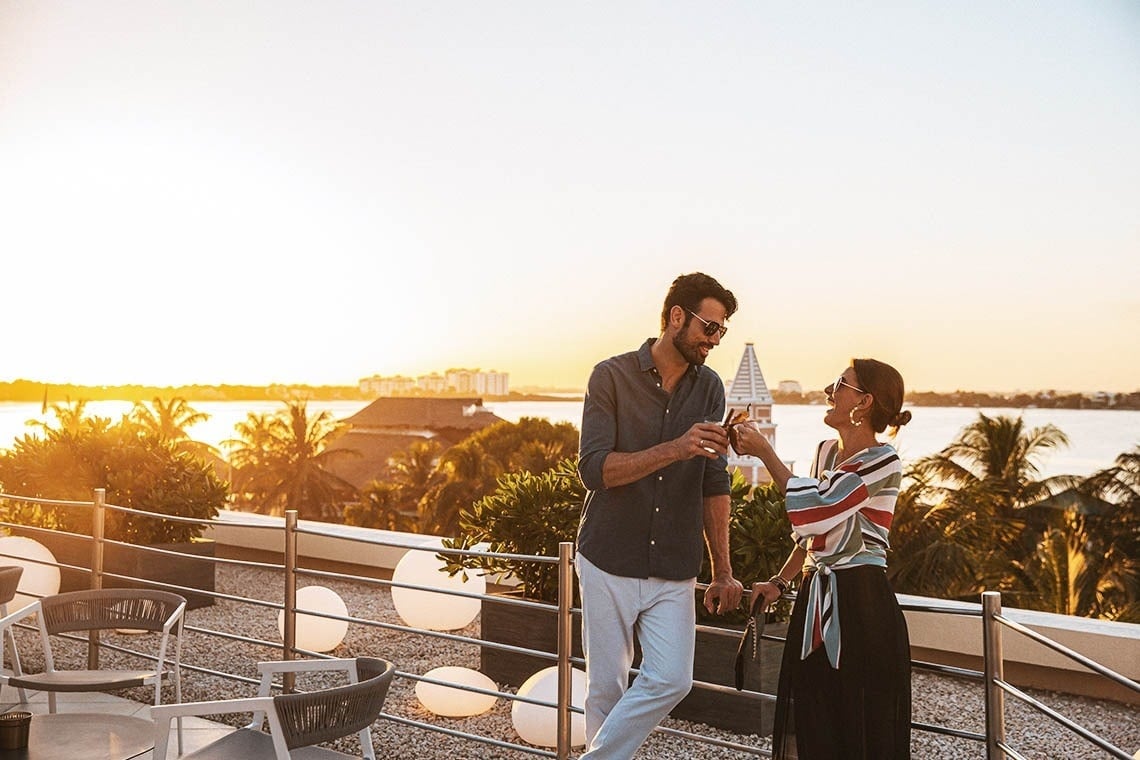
(430, 610)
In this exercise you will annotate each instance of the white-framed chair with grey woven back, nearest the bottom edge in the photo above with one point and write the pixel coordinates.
(297, 722)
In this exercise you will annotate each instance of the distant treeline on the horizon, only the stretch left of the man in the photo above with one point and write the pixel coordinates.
(50, 394)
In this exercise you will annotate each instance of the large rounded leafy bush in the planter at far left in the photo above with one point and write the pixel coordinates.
(137, 469)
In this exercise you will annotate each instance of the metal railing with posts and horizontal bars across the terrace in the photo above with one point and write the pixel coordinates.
(992, 679)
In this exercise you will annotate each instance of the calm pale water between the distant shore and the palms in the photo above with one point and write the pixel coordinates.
(1096, 437)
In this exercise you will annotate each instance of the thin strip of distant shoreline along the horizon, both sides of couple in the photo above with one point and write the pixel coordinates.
(30, 391)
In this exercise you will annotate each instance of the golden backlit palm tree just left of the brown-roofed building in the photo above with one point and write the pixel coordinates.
(281, 462)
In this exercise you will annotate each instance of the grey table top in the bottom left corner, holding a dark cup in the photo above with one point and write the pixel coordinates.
(88, 736)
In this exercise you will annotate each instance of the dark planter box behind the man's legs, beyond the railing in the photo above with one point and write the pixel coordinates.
(714, 663)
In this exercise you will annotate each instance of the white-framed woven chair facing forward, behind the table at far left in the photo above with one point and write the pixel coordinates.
(94, 611)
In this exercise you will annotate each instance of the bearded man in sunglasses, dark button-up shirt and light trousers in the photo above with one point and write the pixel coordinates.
(653, 459)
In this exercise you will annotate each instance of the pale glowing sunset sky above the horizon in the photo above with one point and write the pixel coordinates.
(255, 192)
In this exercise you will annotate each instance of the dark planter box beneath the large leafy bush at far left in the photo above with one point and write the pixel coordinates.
(134, 561)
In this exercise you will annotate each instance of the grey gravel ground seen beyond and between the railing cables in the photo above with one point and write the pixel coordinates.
(938, 700)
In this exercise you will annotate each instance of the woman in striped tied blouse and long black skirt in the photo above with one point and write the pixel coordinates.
(845, 682)
